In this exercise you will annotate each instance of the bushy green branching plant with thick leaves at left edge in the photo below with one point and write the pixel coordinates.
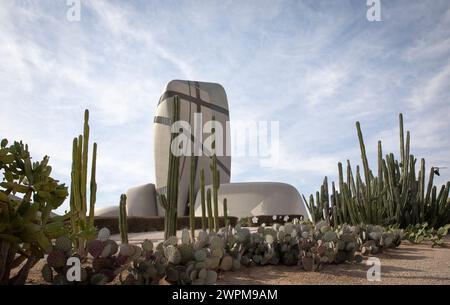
(28, 195)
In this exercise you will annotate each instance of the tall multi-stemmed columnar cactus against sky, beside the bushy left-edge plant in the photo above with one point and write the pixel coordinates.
(78, 198)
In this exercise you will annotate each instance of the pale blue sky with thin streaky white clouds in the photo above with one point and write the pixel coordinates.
(317, 67)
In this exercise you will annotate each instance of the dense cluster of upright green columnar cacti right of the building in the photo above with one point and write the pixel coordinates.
(396, 196)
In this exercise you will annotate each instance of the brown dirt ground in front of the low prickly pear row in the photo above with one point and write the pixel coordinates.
(408, 264)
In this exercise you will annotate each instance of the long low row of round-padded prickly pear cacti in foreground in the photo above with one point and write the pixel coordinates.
(199, 261)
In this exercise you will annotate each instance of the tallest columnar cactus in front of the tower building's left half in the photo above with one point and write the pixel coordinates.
(169, 201)
